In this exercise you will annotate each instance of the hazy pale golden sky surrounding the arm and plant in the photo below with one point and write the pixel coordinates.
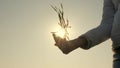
(26, 40)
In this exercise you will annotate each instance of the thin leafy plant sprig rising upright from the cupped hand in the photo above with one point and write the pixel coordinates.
(64, 23)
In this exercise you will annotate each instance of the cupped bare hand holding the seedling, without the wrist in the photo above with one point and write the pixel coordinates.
(64, 45)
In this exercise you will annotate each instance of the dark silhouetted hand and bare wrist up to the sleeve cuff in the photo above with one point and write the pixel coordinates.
(67, 46)
